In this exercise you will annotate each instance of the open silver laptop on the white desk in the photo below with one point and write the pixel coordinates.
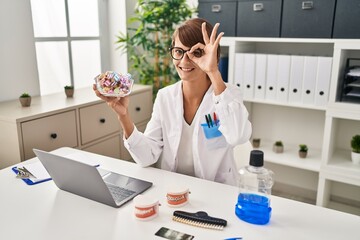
(90, 182)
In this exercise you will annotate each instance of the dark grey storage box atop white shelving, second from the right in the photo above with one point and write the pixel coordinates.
(307, 19)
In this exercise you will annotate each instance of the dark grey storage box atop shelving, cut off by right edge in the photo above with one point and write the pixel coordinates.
(347, 19)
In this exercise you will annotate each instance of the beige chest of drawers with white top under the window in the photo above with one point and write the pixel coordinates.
(53, 121)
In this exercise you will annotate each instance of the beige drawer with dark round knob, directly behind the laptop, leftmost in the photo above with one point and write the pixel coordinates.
(49, 133)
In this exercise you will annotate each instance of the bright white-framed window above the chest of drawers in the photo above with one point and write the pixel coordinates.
(70, 42)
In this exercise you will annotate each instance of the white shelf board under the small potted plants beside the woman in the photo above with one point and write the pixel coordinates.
(290, 157)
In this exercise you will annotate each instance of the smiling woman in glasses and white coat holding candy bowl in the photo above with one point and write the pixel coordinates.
(174, 135)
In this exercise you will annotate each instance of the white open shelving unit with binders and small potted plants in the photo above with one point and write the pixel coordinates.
(327, 176)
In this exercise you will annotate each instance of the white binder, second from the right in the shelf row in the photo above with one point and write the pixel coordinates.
(309, 79)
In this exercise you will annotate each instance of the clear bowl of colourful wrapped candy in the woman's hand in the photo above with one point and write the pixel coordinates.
(113, 84)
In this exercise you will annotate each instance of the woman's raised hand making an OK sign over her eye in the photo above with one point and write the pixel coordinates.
(208, 61)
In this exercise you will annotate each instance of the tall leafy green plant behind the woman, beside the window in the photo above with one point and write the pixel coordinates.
(147, 45)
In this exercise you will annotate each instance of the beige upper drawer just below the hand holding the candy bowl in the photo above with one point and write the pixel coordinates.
(97, 121)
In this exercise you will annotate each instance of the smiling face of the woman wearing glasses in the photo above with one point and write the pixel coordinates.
(187, 69)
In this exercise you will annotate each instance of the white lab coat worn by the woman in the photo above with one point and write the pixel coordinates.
(213, 158)
